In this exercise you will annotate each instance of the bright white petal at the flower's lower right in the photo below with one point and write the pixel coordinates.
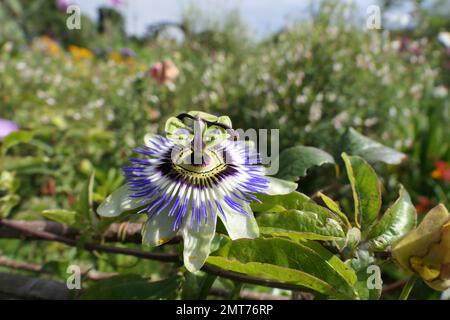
(239, 225)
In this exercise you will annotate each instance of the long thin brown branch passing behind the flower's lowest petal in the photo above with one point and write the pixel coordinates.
(24, 229)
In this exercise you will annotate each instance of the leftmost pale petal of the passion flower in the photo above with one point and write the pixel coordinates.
(118, 202)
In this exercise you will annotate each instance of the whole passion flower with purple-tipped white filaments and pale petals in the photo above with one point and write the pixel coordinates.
(184, 180)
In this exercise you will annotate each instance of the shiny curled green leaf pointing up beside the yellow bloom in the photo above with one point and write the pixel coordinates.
(398, 220)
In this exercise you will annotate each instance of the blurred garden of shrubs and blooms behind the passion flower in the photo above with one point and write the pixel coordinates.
(85, 97)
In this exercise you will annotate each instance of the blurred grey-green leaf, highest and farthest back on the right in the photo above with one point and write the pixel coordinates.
(355, 143)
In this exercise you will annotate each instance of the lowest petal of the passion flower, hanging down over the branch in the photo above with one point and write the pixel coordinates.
(197, 244)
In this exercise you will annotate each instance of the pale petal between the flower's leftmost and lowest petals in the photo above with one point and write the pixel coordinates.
(158, 229)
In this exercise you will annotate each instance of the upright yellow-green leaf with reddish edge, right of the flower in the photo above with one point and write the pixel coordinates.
(366, 190)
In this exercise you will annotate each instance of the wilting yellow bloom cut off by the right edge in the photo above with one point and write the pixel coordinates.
(426, 249)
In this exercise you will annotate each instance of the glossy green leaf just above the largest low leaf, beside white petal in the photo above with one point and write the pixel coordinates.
(295, 225)
